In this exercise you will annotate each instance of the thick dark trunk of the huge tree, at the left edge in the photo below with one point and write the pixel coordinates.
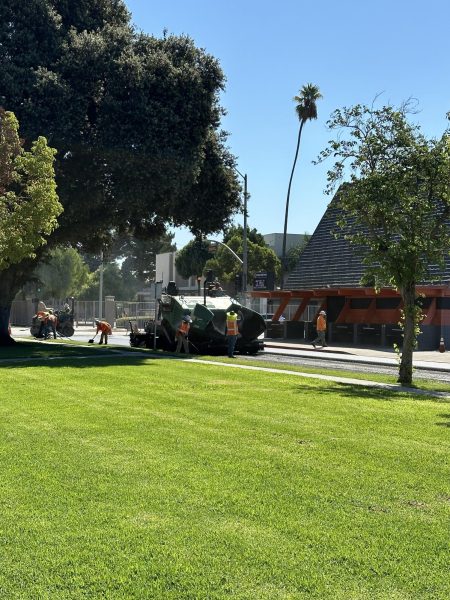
(11, 280)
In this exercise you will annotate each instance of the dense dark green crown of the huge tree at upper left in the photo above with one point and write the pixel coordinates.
(135, 120)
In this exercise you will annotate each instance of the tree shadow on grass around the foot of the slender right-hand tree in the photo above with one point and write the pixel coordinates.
(362, 392)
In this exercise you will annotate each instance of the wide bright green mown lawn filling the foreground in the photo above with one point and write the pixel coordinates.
(126, 477)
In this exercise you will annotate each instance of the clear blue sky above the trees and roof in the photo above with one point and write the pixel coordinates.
(352, 49)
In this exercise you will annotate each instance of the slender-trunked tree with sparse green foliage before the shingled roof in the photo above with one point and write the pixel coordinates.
(395, 203)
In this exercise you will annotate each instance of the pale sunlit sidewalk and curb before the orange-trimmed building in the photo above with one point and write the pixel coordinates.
(425, 359)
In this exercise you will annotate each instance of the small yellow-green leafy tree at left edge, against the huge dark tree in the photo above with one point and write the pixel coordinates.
(29, 205)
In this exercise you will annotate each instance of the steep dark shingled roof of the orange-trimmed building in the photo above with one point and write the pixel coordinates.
(330, 261)
